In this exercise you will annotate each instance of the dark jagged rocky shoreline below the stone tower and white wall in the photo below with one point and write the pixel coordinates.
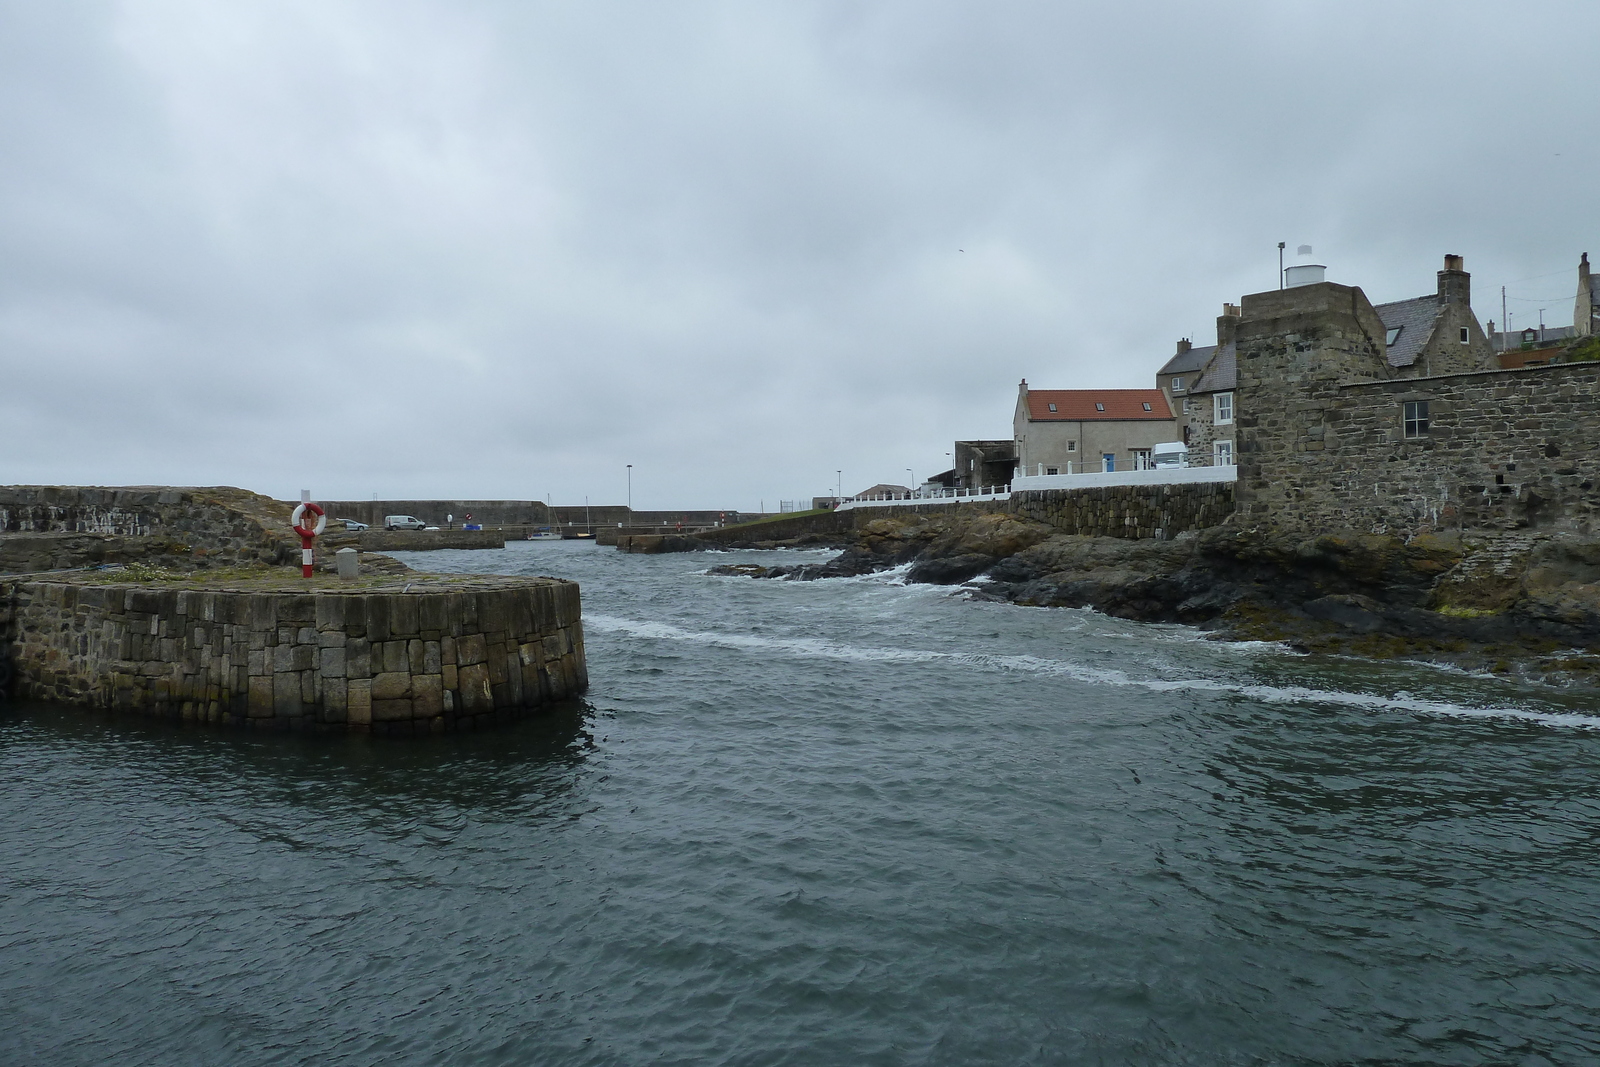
(1513, 602)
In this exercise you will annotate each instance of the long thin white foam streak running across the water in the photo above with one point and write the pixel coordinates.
(809, 647)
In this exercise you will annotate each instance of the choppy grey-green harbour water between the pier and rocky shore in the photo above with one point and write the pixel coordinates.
(831, 823)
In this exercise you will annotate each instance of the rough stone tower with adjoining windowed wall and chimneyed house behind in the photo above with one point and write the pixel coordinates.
(1337, 431)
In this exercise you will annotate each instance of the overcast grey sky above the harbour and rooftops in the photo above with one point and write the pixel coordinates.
(503, 250)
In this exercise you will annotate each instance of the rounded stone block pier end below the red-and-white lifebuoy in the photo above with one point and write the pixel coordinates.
(449, 655)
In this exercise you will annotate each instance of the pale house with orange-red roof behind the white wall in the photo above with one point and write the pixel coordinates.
(1074, 431)
